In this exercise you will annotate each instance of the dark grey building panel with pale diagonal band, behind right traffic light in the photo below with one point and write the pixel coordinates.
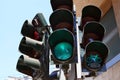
(111, 38)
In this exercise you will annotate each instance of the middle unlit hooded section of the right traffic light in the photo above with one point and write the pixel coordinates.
(92, 31)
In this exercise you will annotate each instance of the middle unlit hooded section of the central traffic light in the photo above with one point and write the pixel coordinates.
(61, 18)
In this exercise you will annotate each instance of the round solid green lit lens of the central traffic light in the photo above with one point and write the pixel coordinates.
(63, 51)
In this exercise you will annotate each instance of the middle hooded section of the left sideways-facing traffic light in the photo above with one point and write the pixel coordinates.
(31, 47)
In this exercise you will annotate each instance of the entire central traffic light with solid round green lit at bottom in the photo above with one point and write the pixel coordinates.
(62, 39)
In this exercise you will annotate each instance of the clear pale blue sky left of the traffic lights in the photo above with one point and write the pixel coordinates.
(13, 13)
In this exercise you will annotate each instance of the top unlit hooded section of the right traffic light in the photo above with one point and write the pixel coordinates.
(89, 13)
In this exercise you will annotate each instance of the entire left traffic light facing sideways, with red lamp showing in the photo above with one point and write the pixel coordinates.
(33, 45)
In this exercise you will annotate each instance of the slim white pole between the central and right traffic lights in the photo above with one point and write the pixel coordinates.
(78, 66)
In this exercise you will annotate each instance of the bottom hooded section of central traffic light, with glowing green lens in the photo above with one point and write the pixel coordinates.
(61, 42)
